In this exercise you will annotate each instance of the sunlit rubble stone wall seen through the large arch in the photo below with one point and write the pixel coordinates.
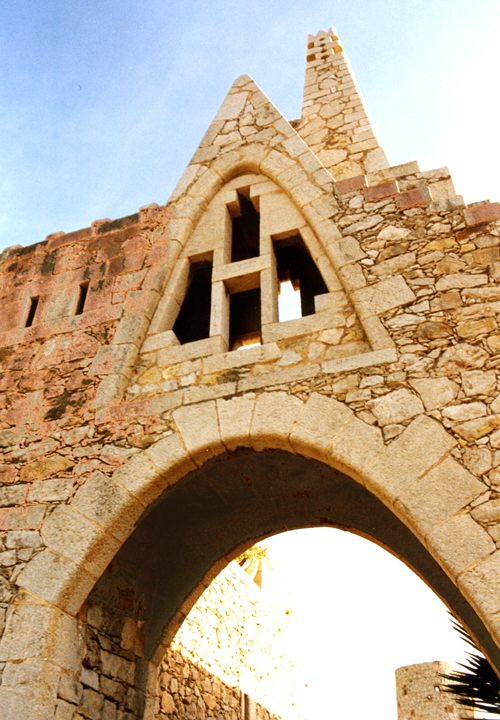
(233, 657)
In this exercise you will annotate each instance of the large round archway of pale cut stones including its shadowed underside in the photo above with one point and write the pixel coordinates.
(232, 472)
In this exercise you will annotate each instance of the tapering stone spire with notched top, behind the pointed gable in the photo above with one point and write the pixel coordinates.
(335, 122)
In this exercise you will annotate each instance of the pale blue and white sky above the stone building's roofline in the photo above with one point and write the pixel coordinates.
(105, 102)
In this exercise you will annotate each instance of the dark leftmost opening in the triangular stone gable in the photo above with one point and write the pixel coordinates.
(193, 320)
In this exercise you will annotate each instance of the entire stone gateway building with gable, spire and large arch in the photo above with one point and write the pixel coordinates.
(142, 451)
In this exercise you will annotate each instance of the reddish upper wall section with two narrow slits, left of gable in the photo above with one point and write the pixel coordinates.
(75, 280)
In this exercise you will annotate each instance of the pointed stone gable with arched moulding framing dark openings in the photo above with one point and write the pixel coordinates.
(250, 150)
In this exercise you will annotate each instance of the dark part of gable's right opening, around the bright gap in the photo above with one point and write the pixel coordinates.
(296, 265)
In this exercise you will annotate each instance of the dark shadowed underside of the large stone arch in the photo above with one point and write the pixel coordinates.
(197, 526)
